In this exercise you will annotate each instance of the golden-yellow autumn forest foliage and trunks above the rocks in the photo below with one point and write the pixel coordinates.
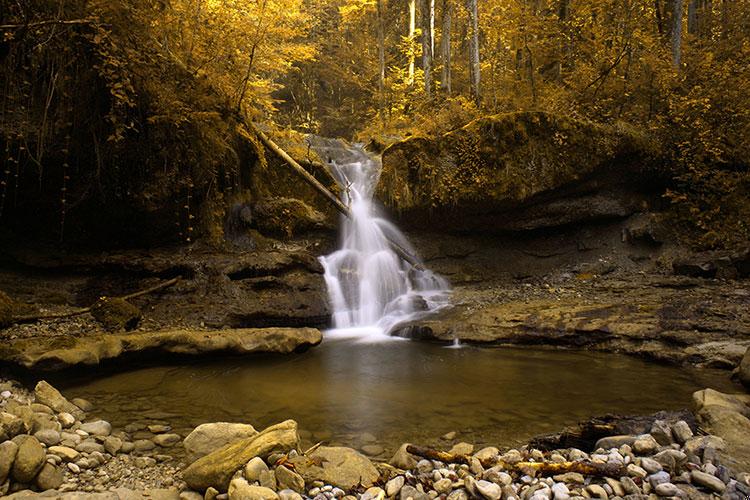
(678, 70)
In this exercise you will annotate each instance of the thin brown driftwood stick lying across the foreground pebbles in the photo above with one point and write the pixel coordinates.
(543, 468)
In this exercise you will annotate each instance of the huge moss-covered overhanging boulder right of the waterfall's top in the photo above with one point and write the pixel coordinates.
(519, 171)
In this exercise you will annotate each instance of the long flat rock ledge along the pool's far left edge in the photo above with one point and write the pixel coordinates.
(56, 353)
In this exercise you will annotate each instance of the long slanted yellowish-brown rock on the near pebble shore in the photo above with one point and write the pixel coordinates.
(217, 468)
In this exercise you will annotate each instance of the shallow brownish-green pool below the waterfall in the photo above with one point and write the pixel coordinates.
(345, 391)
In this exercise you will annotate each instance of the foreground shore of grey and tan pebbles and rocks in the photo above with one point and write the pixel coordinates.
(55, 448)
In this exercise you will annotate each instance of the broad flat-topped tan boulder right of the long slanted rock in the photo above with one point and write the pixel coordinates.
(339, 466)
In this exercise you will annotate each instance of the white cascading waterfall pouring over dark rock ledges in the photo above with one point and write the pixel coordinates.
(371, 289)
